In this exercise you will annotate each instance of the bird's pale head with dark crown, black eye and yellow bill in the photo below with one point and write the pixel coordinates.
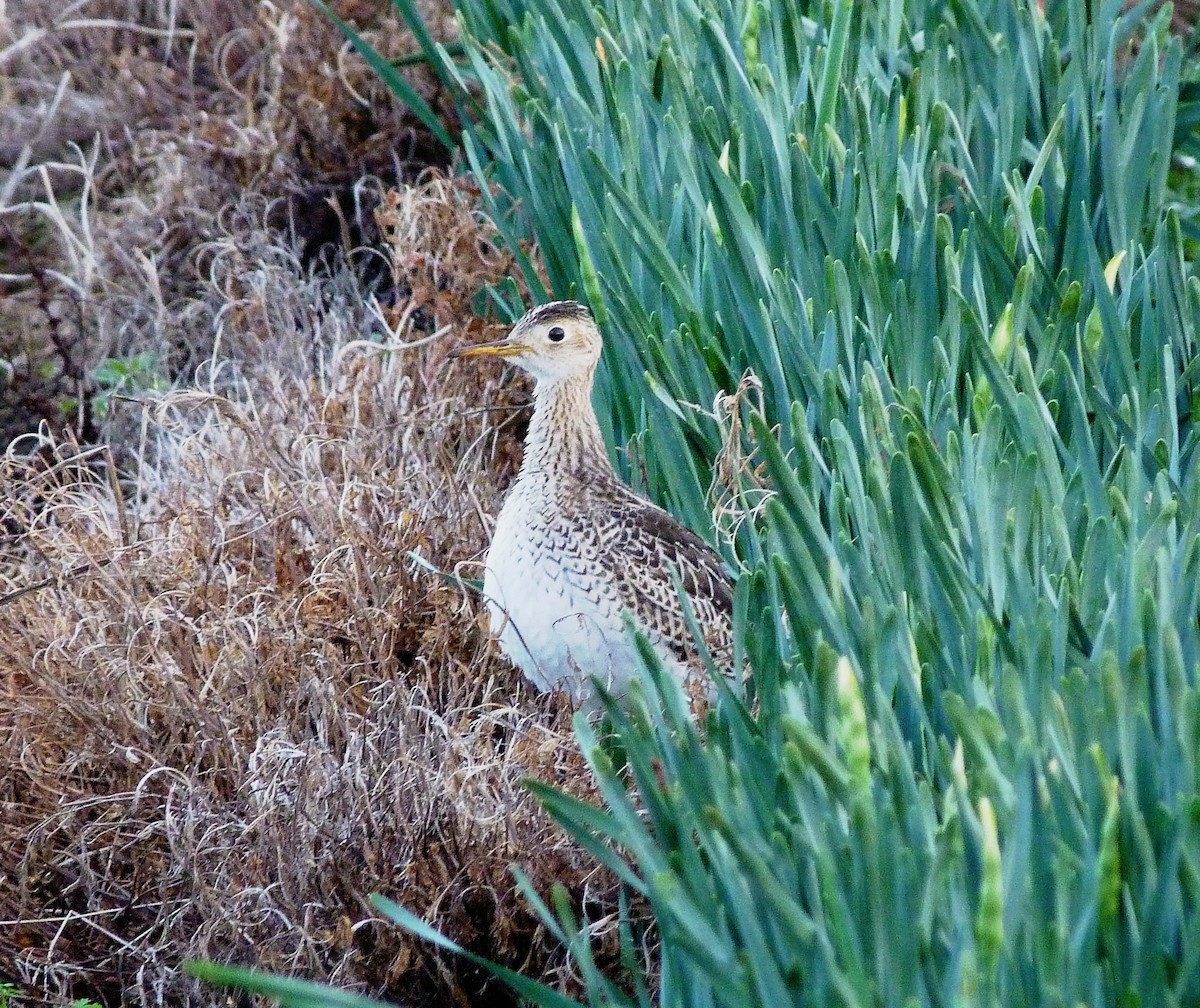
(554, 343)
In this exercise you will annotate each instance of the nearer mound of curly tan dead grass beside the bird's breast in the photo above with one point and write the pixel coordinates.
(233, 699)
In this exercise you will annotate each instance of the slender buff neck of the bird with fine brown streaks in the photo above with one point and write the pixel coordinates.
(565, 435)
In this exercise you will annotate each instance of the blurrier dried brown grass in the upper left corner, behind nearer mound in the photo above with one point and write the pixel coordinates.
(133, 135)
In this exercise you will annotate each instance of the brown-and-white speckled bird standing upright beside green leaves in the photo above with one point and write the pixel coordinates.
(575, 549)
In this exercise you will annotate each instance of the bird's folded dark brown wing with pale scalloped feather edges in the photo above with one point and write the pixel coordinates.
(645, 545)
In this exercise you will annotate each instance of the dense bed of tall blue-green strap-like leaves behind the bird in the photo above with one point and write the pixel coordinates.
(940, 236)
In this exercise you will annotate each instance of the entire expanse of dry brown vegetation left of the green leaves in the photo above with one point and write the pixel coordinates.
(235, 699)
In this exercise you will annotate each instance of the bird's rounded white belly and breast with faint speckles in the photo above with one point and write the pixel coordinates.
(554, 615)
